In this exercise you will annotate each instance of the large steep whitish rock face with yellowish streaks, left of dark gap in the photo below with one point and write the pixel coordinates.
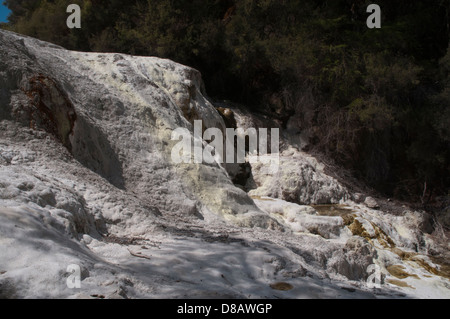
(115, 114)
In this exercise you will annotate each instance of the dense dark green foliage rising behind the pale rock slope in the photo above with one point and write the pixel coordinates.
(375, 100)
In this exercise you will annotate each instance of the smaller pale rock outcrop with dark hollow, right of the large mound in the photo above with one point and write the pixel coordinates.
(299, 177)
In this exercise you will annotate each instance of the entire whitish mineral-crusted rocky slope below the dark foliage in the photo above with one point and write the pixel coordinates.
(86, 179)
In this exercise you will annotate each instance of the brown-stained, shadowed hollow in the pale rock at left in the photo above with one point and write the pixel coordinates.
(47, 107)
